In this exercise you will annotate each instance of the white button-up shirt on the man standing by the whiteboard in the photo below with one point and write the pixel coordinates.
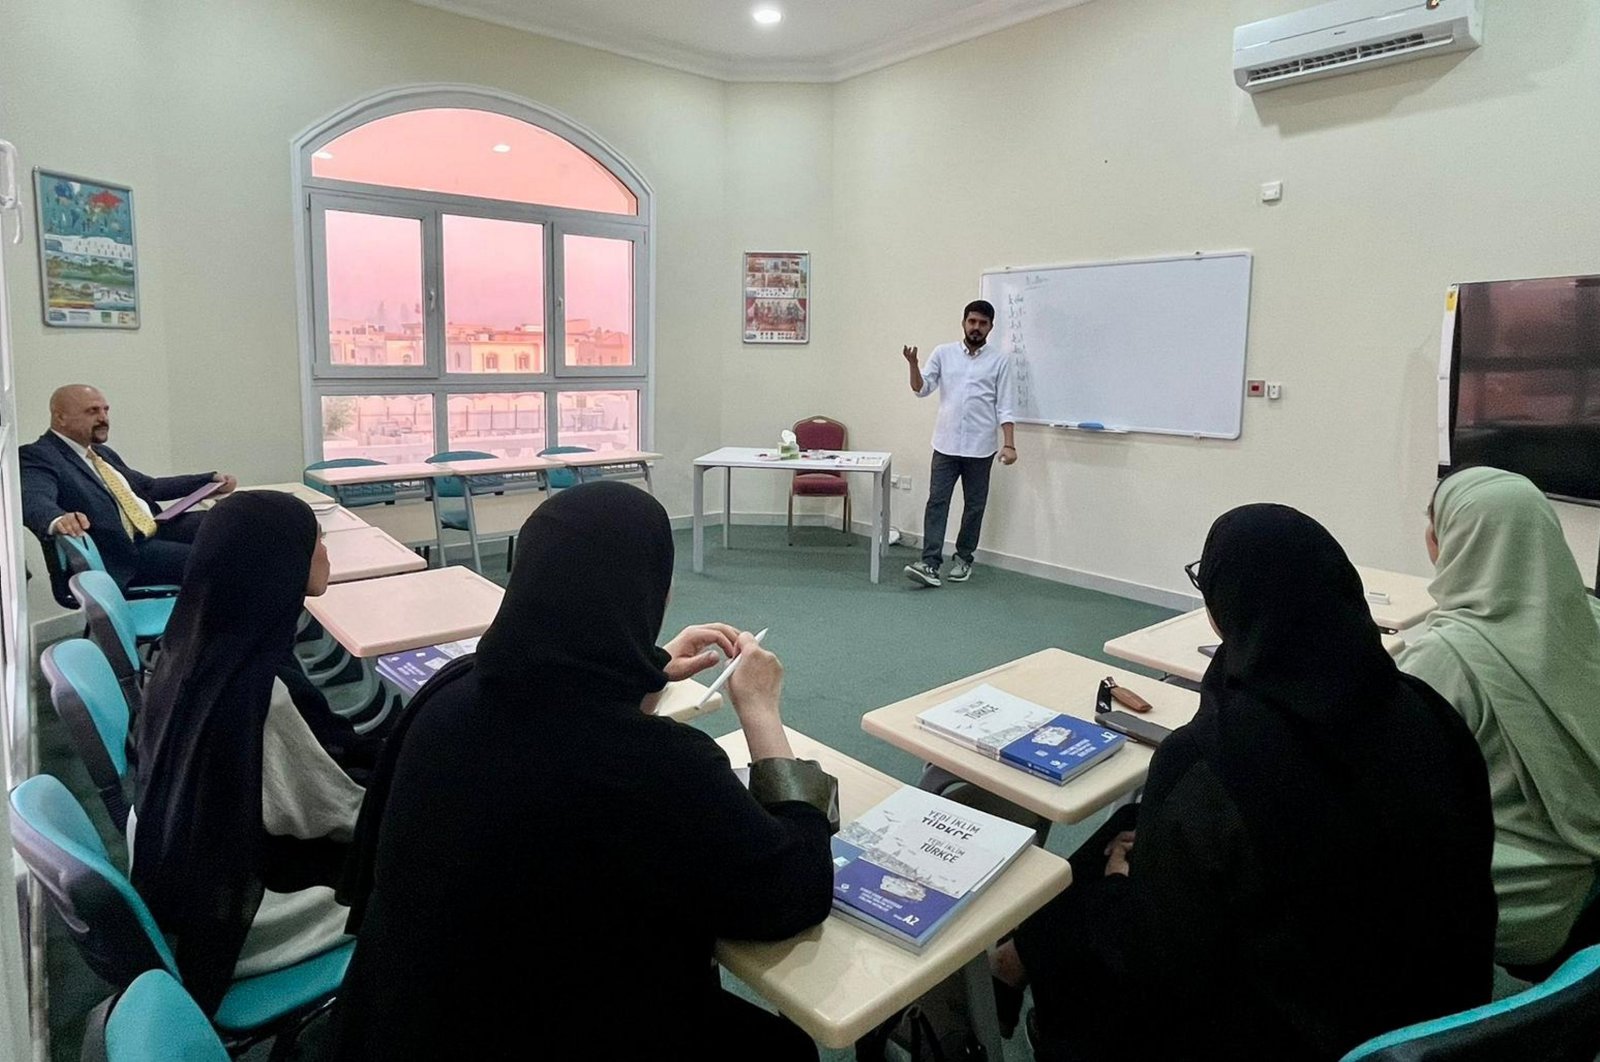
(978, 397)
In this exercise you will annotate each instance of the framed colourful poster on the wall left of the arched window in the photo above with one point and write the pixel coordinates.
(87, 254)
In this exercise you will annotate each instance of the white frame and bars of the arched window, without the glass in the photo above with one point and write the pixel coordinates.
(316, 196)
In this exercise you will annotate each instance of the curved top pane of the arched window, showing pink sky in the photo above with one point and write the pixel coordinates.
(474, 153)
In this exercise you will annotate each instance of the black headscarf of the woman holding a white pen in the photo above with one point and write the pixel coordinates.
(577, 629)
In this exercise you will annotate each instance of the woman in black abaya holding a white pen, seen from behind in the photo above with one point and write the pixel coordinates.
(545, 866)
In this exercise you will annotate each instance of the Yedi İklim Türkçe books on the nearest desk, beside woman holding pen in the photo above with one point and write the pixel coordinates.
(910, 866)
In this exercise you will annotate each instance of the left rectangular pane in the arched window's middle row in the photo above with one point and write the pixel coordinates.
(375, 289)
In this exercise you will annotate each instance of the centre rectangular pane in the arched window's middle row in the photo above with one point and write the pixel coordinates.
(494, 297)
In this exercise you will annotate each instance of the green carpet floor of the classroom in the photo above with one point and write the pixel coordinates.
(847, 645)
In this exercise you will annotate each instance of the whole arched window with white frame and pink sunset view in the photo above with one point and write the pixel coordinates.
(447, 226)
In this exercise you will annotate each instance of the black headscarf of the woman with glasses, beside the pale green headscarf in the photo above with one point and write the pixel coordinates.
(1313, 729)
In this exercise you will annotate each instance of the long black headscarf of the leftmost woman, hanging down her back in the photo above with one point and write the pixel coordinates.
(201, 845)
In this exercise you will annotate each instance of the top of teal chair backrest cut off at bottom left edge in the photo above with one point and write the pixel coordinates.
(153, 1021)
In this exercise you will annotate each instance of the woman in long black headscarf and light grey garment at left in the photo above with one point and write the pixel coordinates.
(242, 818)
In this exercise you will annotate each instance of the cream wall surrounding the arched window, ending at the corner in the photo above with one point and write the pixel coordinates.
(194, 106)
